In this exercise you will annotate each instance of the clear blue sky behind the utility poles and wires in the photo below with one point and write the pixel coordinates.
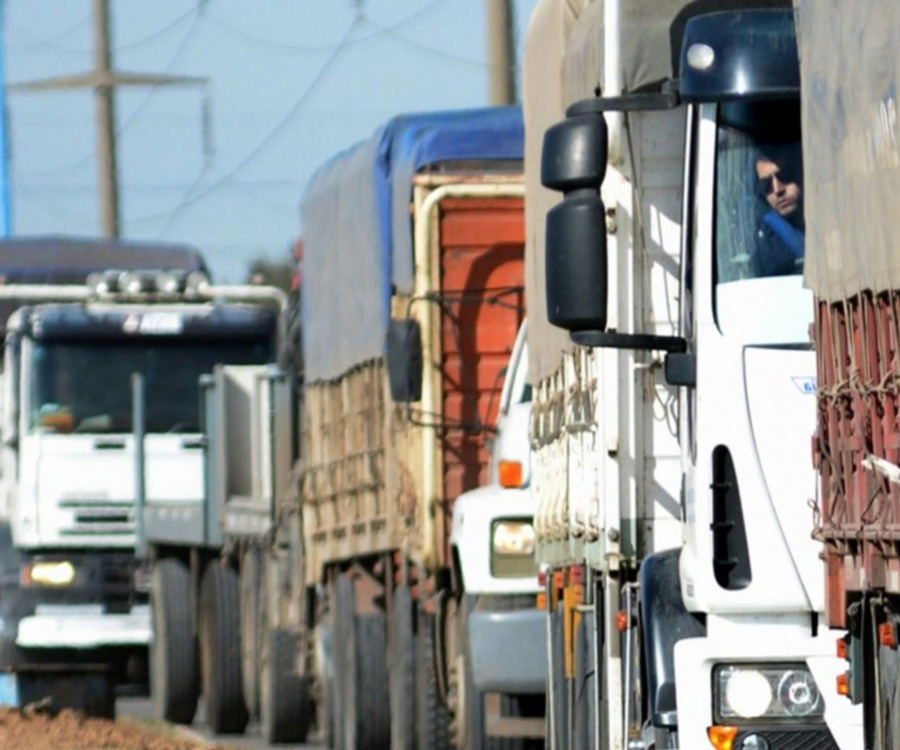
(291, 82)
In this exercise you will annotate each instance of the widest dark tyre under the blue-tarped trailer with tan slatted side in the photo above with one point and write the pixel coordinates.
(366, 713)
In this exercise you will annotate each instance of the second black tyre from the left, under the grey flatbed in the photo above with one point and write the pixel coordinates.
(220, 640)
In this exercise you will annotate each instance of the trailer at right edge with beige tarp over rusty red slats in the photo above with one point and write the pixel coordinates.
(851, 155)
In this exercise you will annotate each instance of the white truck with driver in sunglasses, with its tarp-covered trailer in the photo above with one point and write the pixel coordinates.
(670, 427)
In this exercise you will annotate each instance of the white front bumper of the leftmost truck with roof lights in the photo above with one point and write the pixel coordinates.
(83, 627)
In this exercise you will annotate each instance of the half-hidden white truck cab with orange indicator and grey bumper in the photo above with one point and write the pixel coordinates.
(496, 682)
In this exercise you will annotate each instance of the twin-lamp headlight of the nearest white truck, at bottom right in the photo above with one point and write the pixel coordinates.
(765, 692)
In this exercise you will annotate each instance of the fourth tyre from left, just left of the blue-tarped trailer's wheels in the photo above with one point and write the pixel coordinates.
(284, 699)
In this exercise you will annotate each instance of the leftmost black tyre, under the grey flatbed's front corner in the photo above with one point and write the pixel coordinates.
(174, 674)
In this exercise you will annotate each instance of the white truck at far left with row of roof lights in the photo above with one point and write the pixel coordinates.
(74, 594)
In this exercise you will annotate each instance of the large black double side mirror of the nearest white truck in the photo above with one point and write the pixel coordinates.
(573, 162)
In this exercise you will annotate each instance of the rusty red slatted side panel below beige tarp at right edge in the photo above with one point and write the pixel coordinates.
(857, 449)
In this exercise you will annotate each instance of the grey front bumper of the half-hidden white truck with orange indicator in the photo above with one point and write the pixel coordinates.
(508, 648)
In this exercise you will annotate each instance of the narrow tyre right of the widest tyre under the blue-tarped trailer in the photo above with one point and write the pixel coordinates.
(402, 671)
